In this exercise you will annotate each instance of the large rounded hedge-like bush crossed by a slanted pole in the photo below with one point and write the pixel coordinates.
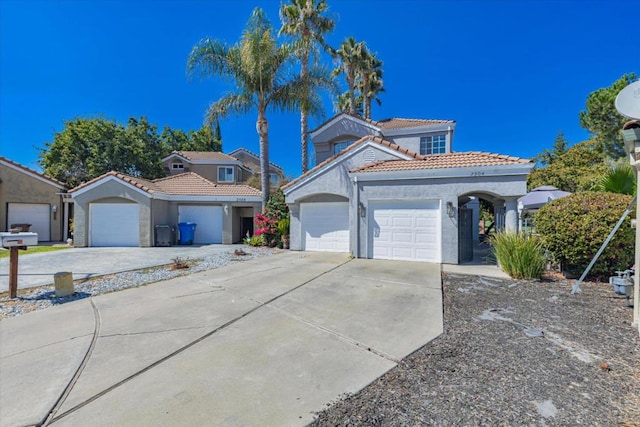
(574, 227)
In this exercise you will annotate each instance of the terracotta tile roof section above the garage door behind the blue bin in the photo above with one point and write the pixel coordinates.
(192, 184)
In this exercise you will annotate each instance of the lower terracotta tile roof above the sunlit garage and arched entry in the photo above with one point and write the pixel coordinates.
(444, 161)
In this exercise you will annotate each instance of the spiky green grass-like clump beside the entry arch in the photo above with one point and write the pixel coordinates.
(521, 256)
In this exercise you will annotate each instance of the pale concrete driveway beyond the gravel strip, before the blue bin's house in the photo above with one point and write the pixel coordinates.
(38, 269)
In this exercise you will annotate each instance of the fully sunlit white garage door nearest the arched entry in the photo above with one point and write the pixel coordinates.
(407, 231)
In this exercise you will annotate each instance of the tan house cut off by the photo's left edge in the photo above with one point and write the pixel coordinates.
(29, 197)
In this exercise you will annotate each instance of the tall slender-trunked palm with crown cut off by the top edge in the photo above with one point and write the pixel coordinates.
(303, 20)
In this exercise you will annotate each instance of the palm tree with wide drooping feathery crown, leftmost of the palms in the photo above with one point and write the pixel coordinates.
(259, 67)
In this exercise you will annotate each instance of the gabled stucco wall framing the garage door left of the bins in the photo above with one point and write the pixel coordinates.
(110, 192)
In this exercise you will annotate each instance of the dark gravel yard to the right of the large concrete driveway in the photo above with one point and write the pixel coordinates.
(584, 369)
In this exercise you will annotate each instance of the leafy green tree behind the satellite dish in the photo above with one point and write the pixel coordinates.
(603, 120)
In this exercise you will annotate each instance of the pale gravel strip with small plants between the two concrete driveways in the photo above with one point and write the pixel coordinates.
(33, 299)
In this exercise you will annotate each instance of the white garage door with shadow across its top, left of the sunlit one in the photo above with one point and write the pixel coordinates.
(325, 226)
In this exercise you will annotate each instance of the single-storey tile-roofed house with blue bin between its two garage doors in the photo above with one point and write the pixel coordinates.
(120, 210)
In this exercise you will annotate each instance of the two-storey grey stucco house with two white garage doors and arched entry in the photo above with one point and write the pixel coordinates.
(394, 189)
